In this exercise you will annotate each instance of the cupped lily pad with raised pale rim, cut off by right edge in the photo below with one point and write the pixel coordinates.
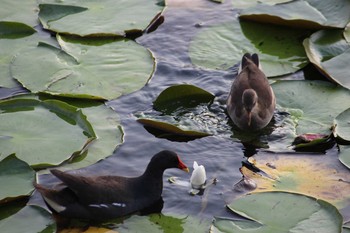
(330, 53)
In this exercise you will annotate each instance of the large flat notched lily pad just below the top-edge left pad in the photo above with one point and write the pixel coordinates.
(84, 68)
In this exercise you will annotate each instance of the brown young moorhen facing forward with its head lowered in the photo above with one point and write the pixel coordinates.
(251, 102)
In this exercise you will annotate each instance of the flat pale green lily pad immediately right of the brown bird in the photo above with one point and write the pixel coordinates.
(317, 102)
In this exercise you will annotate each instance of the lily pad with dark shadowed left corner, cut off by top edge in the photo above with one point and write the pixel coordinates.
(96, 17)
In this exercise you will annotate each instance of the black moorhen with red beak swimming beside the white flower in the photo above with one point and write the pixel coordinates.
(106, 197)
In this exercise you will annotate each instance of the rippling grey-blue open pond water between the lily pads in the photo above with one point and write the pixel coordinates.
(222, 155)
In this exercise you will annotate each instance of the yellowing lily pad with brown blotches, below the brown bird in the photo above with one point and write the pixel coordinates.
(309, 176)
